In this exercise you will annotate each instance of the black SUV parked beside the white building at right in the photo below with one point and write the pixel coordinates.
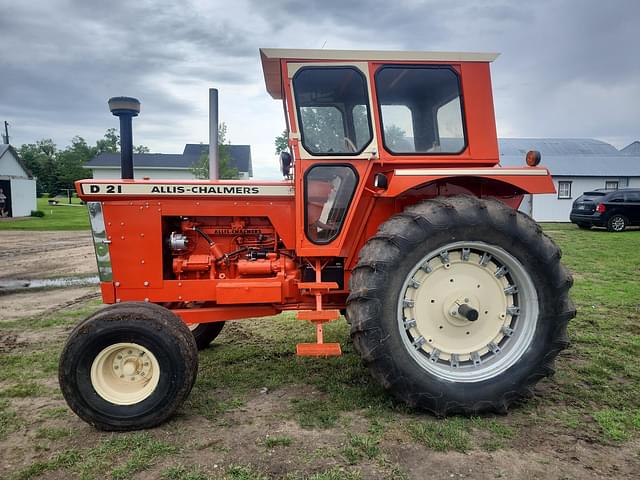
(614, 209)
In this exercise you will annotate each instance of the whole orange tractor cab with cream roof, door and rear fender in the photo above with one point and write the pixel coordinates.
(360, 122)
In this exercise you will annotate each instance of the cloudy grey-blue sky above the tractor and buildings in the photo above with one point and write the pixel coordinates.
(568, 68)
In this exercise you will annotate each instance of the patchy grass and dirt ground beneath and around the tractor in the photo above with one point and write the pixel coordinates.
(257, 411)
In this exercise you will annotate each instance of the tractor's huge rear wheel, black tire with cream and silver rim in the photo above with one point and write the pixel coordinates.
(413, 272)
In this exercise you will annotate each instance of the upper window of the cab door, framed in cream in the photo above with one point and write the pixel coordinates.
(333, 110)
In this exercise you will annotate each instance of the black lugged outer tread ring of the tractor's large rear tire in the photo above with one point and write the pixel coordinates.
(403, 232)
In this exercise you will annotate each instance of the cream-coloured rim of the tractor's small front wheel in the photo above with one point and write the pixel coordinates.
(125, 373)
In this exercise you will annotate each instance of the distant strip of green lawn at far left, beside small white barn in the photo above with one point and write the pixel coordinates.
(58, 217)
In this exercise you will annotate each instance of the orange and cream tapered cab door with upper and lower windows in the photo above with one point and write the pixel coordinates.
(334, 140)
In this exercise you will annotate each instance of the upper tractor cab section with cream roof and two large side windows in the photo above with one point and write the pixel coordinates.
(384, 105)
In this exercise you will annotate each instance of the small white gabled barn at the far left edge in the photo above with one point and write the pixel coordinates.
(17, 186)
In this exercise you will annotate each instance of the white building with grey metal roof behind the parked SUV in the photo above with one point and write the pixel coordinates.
(577, 166)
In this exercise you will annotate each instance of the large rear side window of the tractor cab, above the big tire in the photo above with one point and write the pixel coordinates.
(420, 110)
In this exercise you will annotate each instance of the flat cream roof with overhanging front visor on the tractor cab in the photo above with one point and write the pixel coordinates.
(271, 60)
